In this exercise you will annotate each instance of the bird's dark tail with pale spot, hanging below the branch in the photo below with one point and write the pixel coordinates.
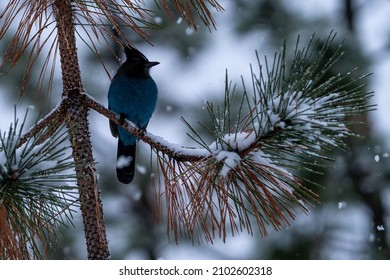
(125, 165)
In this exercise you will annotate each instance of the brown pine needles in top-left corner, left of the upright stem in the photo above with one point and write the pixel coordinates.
(34, 18)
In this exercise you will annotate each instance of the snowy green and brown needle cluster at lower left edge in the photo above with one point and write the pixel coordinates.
(37, 191)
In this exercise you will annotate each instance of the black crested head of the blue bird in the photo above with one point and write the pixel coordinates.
(136, 63)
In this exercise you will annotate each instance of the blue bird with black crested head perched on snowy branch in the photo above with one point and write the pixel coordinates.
(132, 95)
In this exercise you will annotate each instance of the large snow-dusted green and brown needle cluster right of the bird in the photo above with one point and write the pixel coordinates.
(294, 113)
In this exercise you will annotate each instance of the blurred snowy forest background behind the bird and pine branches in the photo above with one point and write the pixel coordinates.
(352, 219)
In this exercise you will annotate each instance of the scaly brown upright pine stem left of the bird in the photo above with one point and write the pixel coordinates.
(78, 127)
